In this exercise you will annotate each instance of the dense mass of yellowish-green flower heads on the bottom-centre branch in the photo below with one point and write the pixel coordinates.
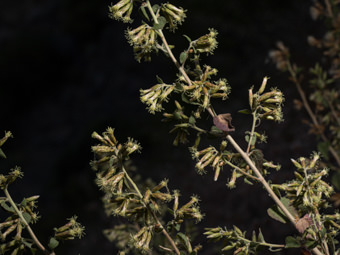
(123, 196)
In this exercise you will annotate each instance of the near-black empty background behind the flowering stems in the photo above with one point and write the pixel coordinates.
(67, 70)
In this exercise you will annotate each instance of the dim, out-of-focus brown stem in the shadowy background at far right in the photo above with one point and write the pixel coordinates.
(310, 112)
